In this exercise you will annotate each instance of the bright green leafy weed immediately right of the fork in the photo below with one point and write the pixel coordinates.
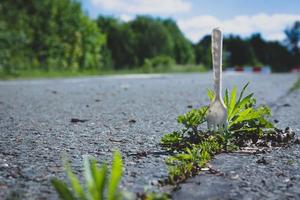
(246, 121)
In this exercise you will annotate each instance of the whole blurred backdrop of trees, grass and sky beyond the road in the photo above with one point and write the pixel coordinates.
(47, 38)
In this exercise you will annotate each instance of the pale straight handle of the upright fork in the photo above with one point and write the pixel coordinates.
(216, 49)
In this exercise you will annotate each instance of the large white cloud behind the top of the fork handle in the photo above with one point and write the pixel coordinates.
(270, 26)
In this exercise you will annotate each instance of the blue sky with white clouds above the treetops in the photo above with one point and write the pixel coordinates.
(197, 18)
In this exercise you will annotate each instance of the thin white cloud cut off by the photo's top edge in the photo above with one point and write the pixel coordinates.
(163, 7)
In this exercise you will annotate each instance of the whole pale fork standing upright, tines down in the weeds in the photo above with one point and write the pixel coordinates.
(217, 112)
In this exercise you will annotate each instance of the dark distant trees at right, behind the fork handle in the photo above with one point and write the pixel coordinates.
(253, 51)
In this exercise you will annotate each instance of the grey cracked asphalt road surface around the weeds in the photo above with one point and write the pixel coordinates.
(131, 113)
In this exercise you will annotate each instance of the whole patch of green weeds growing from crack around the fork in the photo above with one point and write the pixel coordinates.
(192, 147)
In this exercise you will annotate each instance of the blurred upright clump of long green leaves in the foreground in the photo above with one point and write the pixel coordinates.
(99, 182)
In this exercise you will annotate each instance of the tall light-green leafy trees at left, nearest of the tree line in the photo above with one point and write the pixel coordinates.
(37, 34)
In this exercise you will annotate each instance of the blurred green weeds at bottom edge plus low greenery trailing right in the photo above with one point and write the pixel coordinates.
(101, 183)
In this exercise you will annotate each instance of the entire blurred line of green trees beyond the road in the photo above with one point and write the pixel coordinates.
(58, 35)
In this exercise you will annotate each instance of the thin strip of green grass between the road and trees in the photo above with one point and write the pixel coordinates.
(36, 74)
